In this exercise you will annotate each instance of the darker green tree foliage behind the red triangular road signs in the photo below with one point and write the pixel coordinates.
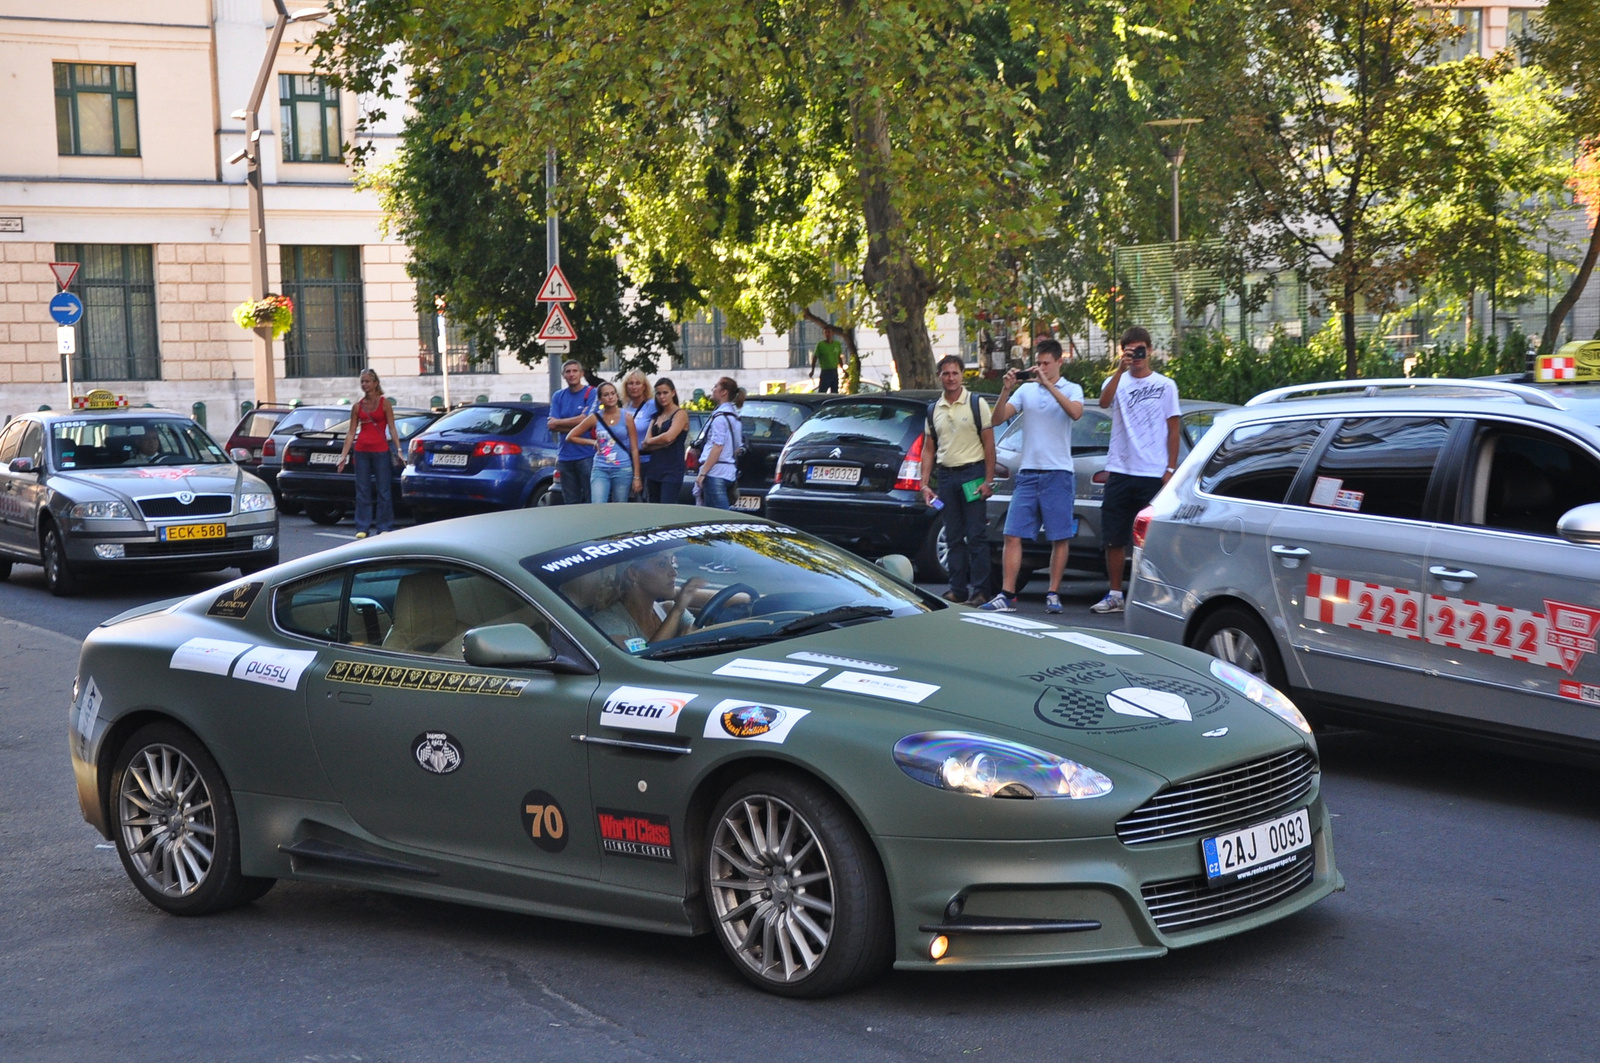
(479, 246)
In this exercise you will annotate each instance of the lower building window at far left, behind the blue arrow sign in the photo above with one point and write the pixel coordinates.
(118, 334)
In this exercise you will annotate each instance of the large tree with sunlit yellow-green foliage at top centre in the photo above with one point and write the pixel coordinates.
(762, 145)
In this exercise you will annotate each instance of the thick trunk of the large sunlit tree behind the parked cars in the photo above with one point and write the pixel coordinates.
(897, 283)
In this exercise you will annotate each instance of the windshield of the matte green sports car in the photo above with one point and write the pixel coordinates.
(710, 588)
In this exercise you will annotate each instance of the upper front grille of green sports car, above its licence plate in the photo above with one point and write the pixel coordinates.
(1222, 801)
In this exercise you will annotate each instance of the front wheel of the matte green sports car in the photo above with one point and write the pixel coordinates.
(796, 889)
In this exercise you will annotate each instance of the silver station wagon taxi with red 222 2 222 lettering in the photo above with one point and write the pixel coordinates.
(1401, 553)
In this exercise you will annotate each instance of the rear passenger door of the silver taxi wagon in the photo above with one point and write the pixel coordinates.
(1348, 558)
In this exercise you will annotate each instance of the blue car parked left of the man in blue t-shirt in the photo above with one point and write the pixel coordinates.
(497, 455)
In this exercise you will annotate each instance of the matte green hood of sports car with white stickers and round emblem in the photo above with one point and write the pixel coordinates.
(1081, 694)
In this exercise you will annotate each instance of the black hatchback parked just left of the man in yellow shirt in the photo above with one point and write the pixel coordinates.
(852, 475)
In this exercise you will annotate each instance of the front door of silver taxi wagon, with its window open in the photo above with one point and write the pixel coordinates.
(1513, 609)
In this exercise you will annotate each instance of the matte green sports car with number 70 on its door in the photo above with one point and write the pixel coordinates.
(644, 716)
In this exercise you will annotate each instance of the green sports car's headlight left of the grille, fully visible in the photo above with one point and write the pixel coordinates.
(993, 768)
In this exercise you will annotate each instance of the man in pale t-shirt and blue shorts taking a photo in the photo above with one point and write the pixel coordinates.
(1042, 491)
